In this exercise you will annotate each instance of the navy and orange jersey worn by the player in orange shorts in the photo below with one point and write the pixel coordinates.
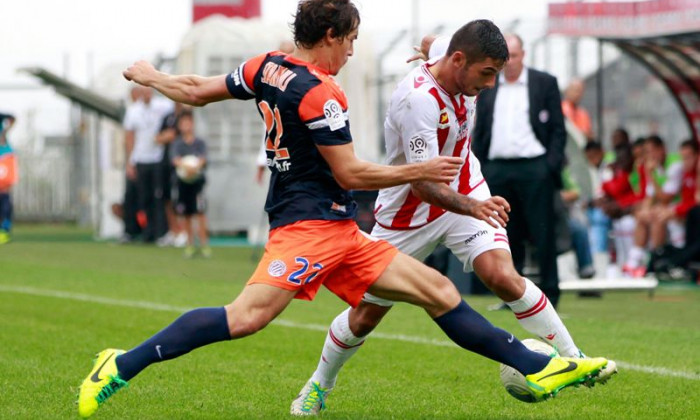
(302, 106)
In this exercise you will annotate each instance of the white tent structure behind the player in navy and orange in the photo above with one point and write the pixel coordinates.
(233, 129)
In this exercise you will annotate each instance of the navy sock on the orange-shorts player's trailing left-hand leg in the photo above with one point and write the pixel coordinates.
(191, 330)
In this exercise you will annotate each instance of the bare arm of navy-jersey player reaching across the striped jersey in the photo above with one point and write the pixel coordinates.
(356, 174)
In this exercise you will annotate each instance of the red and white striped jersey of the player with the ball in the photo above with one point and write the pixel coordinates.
(424, 121)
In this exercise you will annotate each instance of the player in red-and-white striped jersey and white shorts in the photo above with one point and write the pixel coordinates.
(431, 114)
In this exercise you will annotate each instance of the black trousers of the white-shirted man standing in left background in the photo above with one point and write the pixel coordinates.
(149, 180)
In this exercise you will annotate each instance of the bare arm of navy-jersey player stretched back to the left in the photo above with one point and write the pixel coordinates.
(187, 89)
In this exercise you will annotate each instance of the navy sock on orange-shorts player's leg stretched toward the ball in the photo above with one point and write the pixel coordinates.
(471, 331)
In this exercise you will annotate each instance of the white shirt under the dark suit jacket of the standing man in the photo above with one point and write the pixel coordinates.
(511, 134)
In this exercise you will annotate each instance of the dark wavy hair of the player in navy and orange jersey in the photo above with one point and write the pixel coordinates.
(315, 17)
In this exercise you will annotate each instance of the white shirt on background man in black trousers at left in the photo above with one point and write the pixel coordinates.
(145, 121)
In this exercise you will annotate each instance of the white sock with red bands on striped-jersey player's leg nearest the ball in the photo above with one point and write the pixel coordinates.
(538, 316)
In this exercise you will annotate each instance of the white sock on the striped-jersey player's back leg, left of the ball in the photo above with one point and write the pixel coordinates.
(340, 345)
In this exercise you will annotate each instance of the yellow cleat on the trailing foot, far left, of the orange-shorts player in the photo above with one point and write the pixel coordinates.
(102, 382)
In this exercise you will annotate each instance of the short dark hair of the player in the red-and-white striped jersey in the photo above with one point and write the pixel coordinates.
(478, 40)
